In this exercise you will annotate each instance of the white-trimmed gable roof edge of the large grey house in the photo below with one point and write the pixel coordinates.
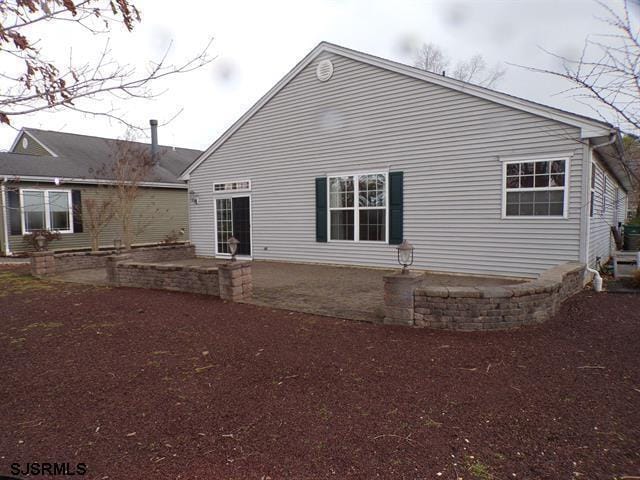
(589, 127)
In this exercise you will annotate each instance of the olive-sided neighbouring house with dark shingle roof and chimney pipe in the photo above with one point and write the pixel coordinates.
(47, 176)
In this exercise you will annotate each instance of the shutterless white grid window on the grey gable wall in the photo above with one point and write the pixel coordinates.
(536, 188)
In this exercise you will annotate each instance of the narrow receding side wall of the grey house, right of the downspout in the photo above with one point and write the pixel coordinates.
(606, 213)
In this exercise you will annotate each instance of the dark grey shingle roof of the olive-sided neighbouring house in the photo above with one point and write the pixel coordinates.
(83, 158)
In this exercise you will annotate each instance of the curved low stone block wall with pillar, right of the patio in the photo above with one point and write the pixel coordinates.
(484, 308)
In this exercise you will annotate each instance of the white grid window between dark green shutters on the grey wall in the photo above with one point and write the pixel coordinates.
(358, 207)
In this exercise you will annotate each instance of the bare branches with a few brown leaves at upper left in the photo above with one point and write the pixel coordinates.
(29, 82)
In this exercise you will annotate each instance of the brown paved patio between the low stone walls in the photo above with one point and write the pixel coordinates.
(344, 292)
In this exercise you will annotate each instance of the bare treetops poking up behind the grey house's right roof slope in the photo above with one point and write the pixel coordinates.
(432, 58)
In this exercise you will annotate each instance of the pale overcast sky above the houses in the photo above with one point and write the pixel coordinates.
(258, 42)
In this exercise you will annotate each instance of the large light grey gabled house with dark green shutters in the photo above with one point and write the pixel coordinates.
(350, 153)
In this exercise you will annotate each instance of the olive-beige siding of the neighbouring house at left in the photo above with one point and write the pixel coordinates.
(158, 211)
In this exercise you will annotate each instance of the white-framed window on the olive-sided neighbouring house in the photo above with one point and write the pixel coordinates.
(46, 210)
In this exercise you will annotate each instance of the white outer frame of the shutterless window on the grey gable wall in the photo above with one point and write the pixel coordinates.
(532, 159)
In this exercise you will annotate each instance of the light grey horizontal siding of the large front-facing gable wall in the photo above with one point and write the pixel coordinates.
(366, 119)
